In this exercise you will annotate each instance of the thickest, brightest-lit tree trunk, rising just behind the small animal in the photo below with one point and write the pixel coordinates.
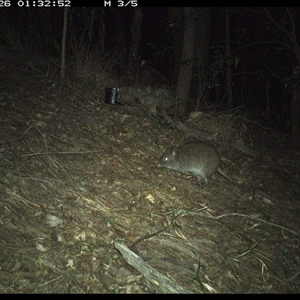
(186, 69)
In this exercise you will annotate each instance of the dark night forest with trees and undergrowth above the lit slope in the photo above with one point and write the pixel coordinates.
(211, 57)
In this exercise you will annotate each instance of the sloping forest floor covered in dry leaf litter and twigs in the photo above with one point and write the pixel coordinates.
(78, 175)
